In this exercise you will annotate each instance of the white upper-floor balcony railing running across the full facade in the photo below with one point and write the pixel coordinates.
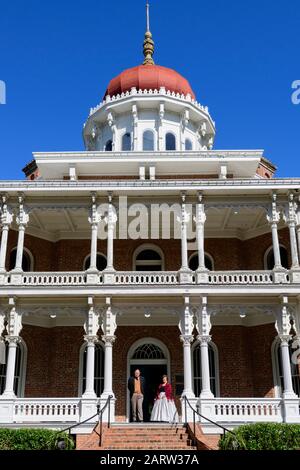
(151, 278)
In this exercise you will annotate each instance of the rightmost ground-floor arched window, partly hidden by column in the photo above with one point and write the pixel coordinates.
(278, 369)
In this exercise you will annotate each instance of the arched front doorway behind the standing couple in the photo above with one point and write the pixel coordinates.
(152, 358)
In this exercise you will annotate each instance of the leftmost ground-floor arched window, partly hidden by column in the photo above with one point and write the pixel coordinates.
(20, 370)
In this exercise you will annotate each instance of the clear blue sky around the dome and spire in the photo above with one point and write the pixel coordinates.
(241, 57)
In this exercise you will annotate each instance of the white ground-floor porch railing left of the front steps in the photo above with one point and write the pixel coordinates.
(46, 409)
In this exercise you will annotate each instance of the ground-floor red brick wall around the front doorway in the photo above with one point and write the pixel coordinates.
(245, 366)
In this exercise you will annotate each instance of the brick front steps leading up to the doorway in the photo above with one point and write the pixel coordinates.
(139, 437)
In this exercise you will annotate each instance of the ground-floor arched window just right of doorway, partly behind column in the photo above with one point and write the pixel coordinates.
(213, 368)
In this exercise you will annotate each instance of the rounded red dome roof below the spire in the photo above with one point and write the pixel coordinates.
(149, 77)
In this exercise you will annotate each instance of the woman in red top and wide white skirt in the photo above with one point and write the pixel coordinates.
(164, 408)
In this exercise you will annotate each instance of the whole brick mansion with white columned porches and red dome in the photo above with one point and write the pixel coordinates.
(206, 291)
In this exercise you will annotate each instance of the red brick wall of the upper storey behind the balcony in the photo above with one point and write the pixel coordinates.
(228, 253)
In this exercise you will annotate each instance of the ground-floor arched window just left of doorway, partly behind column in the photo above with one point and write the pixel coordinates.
(98, 370)
